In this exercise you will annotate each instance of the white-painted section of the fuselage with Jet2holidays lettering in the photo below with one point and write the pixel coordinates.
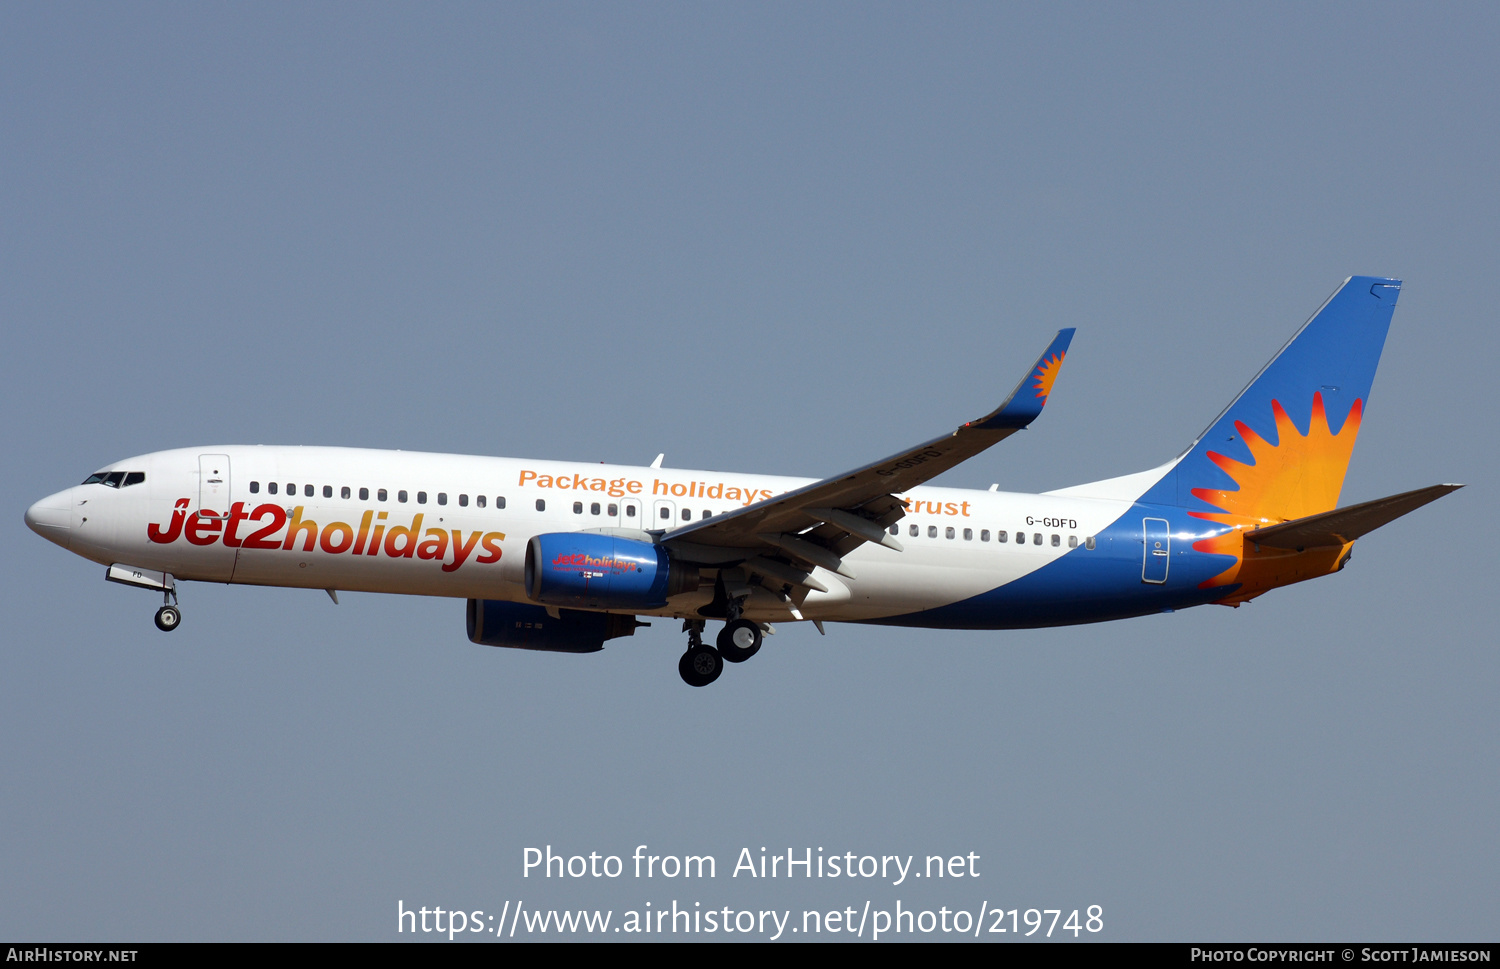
(458, 526)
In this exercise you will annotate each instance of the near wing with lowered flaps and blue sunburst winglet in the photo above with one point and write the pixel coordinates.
(823, 523)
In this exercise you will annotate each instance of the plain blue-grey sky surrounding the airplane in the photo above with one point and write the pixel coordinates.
(763, 238)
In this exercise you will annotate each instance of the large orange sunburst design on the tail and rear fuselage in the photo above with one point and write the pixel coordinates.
(1301, 475)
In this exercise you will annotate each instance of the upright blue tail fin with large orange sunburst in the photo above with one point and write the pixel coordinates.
(1282, 449)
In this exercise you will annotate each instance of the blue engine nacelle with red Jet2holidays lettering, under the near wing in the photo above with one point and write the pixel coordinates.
(595, 571)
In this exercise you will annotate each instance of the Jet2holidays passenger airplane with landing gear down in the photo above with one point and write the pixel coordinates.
(565, 557)
